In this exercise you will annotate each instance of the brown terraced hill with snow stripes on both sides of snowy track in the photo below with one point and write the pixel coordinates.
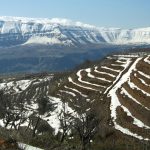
(124, 82)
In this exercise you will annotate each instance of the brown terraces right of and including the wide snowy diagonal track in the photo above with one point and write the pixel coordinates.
(130, 100)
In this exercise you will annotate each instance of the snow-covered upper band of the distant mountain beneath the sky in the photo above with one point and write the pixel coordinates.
(19, 30)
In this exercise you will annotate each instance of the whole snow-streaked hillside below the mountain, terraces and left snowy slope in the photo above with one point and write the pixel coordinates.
(117, 87)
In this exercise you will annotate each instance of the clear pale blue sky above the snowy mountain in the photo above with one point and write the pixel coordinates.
(108, 13)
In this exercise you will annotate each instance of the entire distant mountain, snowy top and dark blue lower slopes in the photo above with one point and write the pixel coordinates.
(37, 45)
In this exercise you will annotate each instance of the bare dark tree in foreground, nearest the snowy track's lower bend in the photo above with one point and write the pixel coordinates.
(86, 123)
